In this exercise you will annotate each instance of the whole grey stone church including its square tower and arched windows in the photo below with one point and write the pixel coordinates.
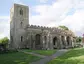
(24, 35)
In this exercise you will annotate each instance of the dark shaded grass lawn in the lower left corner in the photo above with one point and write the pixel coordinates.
(17, 58)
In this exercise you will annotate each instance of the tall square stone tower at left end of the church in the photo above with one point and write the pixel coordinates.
(19, 19)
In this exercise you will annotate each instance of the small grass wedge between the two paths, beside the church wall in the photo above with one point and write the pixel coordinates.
(42, 52)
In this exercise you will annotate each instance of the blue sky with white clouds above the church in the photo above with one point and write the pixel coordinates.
(50, 13)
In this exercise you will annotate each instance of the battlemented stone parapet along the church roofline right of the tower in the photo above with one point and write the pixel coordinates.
(51, 29)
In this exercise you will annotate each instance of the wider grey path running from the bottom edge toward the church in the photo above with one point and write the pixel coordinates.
(48, 58)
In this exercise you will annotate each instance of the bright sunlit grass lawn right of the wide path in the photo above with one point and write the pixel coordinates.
(74, 56)
